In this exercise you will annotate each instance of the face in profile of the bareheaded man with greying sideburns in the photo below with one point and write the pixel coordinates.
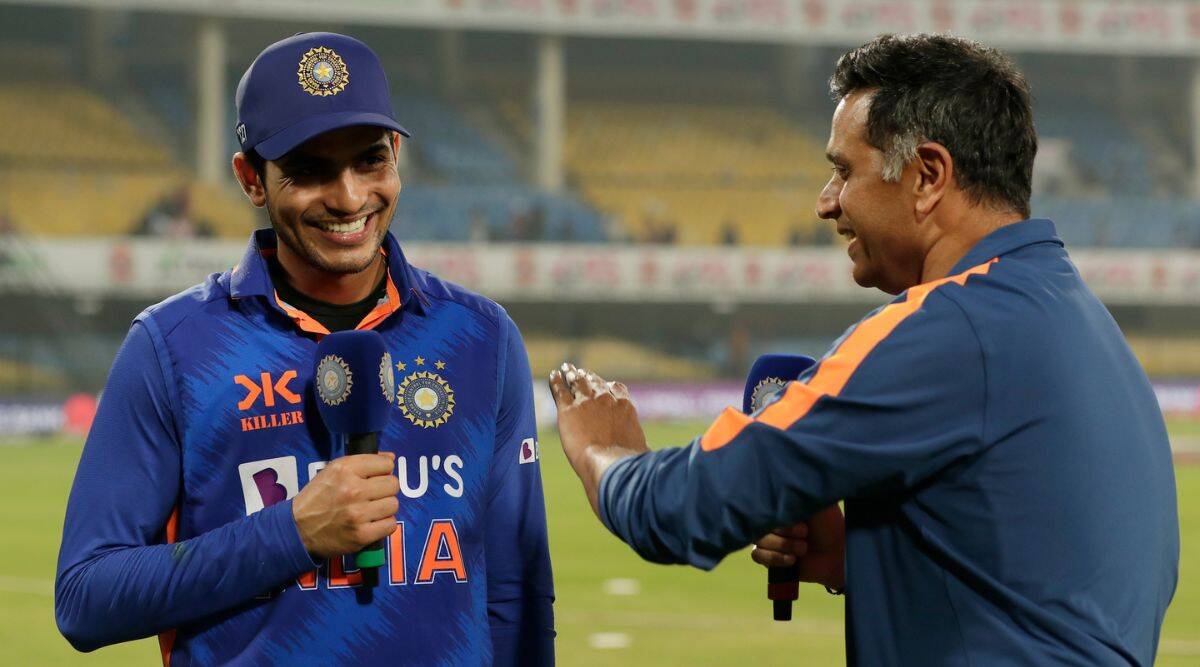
(877, 217)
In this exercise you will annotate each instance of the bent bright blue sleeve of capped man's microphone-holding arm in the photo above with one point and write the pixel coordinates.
(118, 578)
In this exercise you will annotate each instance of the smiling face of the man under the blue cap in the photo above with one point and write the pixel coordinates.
(332, 200)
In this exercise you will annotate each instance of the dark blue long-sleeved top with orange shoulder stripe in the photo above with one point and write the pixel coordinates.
(1006, 473)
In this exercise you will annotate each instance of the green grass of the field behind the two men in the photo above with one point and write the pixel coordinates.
(677, 616)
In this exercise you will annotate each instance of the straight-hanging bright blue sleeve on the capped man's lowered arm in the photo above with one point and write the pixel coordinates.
(520, 584)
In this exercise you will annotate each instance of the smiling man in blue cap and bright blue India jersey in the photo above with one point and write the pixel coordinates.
(211, 504)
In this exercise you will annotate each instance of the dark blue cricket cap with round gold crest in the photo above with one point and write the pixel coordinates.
(307, 86)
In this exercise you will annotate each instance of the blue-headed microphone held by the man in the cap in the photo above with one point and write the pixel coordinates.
(356, 389)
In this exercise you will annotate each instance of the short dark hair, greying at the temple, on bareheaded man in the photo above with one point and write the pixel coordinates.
(969, 98)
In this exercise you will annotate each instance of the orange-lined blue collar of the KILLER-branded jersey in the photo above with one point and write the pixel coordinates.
(251, 278)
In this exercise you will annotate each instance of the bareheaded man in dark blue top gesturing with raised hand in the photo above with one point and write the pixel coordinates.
(1010, 497)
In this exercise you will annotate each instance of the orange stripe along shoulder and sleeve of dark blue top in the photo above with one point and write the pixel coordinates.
(836, 370)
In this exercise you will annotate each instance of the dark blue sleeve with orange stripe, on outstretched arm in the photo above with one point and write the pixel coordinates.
(901, 398)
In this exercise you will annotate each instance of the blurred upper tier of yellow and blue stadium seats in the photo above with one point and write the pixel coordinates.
(715, 173)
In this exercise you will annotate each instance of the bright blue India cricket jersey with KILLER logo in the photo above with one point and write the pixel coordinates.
(181, 522)
